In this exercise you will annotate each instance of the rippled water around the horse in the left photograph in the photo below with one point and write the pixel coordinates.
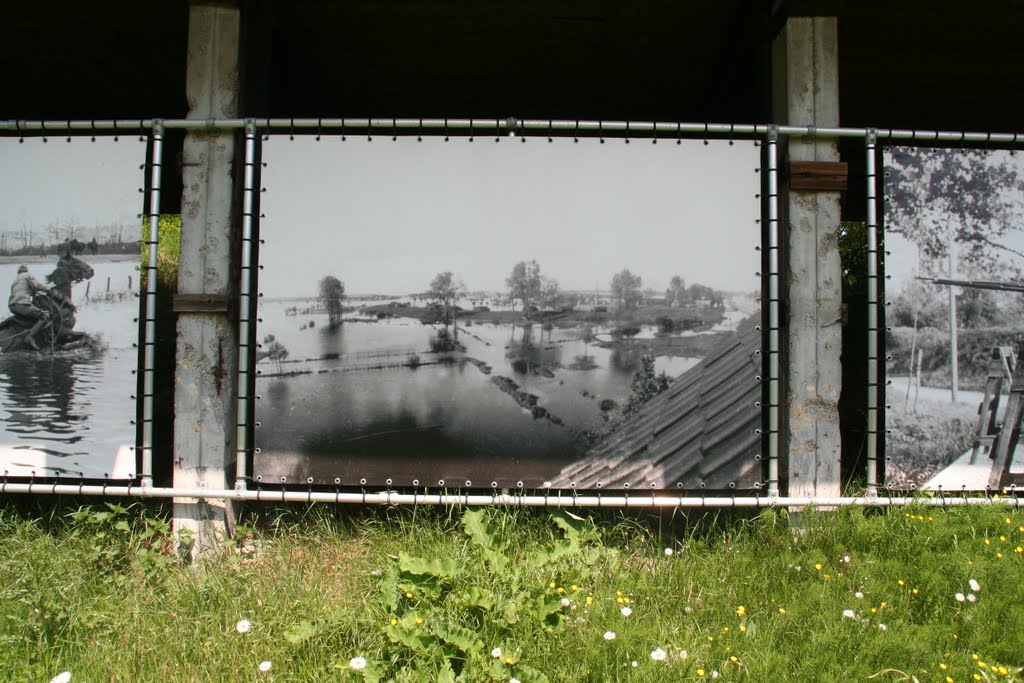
(71, 414)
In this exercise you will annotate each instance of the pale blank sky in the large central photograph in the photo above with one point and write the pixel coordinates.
(386, 217)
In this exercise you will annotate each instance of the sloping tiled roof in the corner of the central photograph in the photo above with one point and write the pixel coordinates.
(702, 432)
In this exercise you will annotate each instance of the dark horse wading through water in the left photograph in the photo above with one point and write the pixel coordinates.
(60, 334)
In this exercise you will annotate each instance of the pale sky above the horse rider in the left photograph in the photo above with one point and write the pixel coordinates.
(82, 182)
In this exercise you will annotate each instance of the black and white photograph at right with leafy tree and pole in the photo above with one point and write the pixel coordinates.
(955, 317)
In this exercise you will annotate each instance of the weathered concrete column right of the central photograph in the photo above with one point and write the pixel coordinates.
(806, 94)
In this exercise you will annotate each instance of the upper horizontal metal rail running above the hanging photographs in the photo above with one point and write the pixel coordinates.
(506, 126)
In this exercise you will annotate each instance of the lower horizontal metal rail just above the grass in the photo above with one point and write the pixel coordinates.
(562, 499)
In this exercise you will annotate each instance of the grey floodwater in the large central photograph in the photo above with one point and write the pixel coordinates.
(345, 405)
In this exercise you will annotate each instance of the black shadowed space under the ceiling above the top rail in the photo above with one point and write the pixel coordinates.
(924, 64)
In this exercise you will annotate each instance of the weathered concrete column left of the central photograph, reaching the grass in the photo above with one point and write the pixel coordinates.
(207, 347)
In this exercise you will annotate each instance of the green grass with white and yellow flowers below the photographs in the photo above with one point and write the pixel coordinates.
(95, 592)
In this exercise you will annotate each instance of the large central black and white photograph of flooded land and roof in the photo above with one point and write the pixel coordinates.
(567, 314)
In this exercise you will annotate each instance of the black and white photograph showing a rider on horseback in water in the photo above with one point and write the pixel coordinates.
(69, 258)
